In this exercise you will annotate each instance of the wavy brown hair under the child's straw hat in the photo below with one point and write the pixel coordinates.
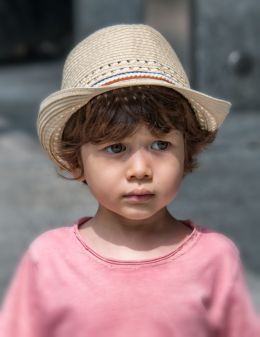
(114, 115)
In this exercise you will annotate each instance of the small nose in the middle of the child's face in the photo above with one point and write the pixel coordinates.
(139, 167)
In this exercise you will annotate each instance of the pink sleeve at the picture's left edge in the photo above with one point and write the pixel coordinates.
(20, 313)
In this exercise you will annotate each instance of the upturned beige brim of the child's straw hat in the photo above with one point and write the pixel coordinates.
(58, 107)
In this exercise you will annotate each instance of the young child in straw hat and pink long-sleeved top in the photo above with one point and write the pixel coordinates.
(127, 124)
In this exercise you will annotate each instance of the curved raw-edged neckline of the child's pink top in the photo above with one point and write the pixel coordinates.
(183, 246)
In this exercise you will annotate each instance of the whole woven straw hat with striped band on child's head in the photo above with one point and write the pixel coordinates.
(113, 57)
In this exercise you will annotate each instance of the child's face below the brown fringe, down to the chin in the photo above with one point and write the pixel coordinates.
(138, 176)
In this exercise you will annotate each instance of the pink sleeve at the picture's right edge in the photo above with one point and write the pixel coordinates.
(241, 319)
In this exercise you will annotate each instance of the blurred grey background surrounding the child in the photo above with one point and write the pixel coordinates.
(218, 44)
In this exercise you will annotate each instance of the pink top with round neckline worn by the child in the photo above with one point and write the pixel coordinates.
(62, 288)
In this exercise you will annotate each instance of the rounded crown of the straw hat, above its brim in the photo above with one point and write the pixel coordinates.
(122, 52)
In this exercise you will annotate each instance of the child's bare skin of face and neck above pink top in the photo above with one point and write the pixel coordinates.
(133, 181)
